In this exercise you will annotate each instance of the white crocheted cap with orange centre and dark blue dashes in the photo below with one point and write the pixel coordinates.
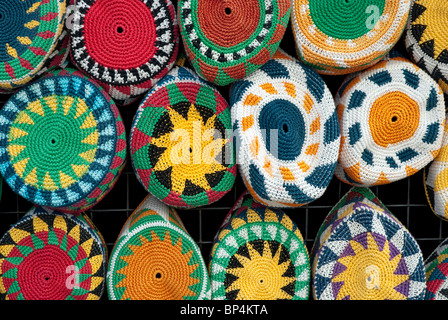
(392, 118)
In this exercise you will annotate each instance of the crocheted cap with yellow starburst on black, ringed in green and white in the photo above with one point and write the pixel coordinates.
(259, 254)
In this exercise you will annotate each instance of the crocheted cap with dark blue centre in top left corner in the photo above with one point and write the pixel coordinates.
(30, 32)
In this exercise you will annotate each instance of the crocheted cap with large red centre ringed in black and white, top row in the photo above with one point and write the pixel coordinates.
(126, 46)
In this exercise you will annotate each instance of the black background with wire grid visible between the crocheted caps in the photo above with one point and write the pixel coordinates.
(406, 198)
